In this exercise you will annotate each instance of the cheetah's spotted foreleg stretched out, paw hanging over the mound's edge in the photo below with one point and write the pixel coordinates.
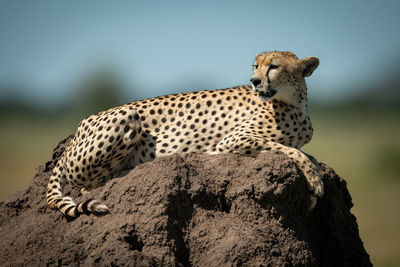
(252, 145)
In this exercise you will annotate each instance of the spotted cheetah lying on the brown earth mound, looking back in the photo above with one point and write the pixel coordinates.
(269, 114)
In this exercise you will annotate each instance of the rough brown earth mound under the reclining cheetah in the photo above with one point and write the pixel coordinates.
(193, 210)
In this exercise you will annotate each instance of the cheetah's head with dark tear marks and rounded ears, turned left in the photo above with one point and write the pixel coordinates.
(280, 75)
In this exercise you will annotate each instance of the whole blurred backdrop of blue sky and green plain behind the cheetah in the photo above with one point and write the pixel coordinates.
(63, 60)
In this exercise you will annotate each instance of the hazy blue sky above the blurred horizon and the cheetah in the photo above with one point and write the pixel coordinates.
(160, 47)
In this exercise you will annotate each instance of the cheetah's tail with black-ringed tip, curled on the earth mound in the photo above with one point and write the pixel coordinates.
(66, 205)
